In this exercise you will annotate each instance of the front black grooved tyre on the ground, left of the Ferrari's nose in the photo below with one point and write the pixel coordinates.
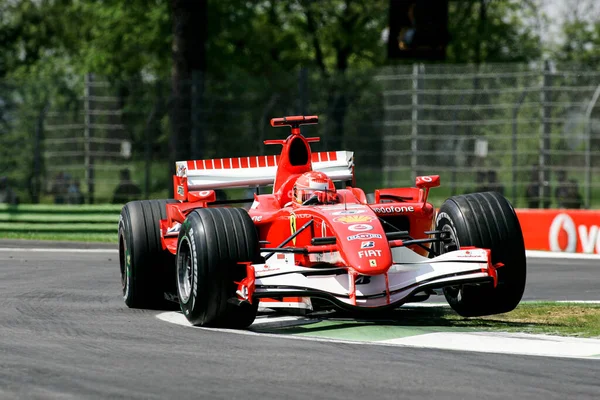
(211, 243)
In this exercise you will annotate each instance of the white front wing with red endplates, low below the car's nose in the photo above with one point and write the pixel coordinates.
(346, 289)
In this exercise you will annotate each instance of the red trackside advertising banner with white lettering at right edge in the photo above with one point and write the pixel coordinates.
(572, 231)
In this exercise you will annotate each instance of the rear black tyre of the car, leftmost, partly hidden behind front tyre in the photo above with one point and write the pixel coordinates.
(147, 271)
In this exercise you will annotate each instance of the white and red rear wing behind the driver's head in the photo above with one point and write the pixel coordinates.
(243, 172)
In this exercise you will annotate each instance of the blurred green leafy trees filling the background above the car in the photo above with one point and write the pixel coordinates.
(183, 92)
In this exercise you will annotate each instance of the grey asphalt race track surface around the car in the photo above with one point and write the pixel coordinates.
(65, 333)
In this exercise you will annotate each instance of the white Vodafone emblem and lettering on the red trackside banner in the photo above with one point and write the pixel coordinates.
(564, 236)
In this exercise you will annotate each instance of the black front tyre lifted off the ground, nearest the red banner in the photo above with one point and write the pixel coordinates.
(485, 220)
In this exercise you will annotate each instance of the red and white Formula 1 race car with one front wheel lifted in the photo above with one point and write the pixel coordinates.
(314, 239)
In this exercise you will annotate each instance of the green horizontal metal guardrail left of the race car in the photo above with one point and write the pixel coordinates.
(59, 219)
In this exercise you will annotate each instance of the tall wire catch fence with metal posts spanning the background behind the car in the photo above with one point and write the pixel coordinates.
(521, 124)
